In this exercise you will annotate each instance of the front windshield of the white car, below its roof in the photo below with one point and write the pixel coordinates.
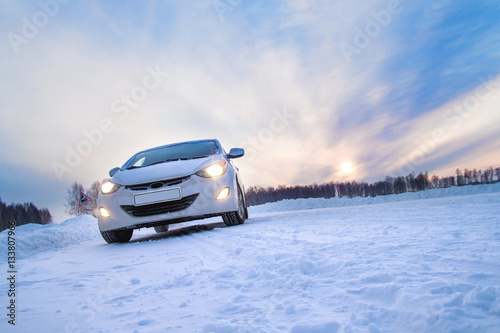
(181, 151)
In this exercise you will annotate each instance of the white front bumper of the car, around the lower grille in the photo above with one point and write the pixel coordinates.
(198, 200)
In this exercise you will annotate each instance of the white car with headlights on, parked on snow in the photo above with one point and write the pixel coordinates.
(171, 184)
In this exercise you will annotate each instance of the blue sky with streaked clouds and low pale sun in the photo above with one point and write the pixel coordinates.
(314, 91)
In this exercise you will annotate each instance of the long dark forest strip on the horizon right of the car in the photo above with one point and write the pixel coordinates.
(256, 195)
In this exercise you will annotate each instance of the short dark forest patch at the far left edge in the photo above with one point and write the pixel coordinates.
(23, 214)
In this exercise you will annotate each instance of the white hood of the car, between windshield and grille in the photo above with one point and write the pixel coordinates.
(167, 170)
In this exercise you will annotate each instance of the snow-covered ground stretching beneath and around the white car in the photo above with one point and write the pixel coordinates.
(418, 262)
